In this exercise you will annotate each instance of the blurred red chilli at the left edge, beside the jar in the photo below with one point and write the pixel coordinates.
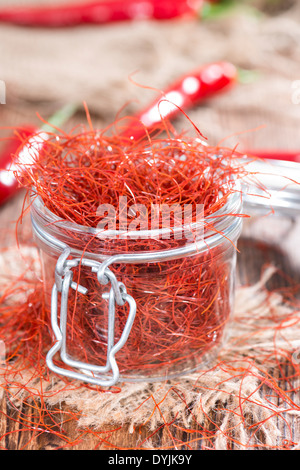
(8, 183)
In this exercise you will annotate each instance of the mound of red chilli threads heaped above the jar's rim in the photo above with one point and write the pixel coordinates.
(74, 175)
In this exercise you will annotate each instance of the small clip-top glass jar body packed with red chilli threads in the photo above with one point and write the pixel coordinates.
(122, 311)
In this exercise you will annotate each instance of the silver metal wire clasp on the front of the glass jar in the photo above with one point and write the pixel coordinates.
(107, 375)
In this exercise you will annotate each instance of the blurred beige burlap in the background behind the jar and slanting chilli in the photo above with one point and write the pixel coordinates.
(45, 68)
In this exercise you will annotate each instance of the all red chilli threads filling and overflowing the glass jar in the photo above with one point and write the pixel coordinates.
(183, 304)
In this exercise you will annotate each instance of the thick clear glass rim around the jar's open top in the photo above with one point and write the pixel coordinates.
(51, 230)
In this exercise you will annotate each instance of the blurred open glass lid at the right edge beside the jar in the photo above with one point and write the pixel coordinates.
(272, 232)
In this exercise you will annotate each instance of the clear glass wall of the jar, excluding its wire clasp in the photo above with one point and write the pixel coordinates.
(183, 304)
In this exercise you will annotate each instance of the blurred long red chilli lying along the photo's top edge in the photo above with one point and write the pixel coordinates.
(99, 12)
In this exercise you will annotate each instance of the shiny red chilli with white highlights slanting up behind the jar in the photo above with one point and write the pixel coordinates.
(183, 94)
